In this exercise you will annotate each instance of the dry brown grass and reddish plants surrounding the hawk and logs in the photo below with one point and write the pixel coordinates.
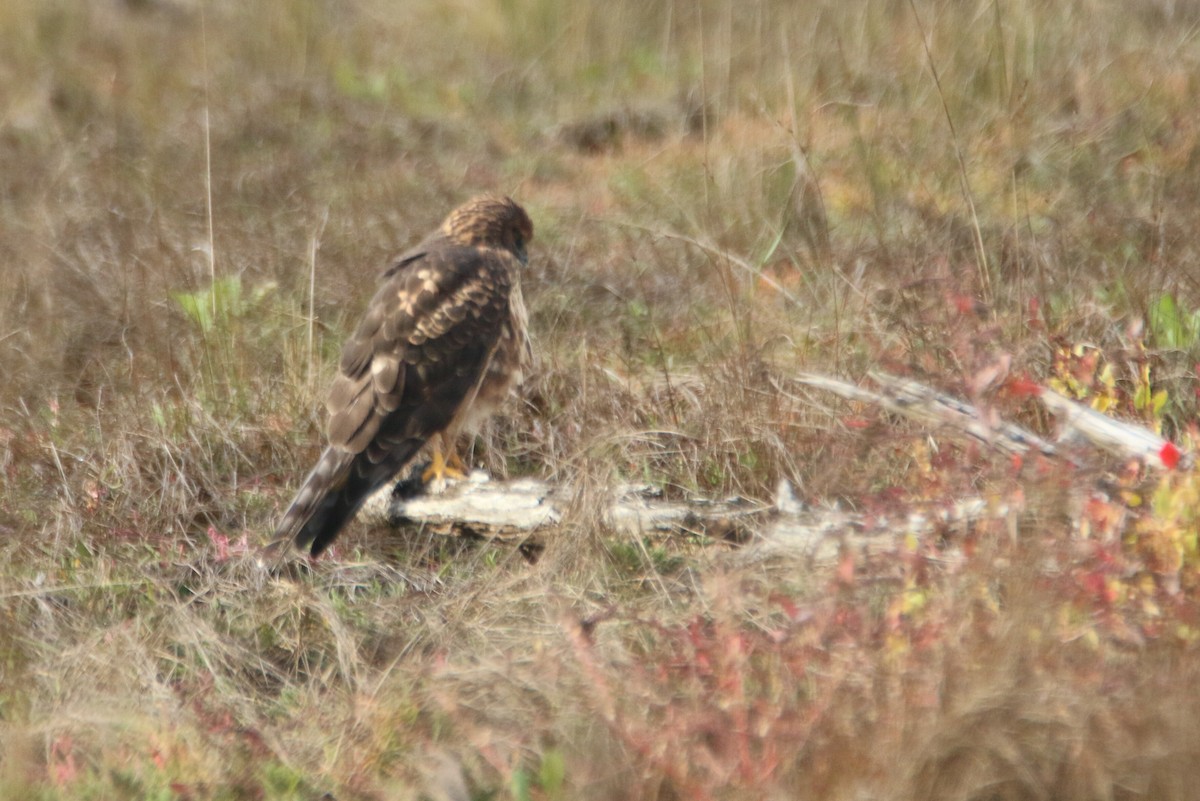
(724, 194)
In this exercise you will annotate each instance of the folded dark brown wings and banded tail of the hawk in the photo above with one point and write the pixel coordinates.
(419, 354)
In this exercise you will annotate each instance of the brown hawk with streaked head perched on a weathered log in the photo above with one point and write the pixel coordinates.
(441, 346)
